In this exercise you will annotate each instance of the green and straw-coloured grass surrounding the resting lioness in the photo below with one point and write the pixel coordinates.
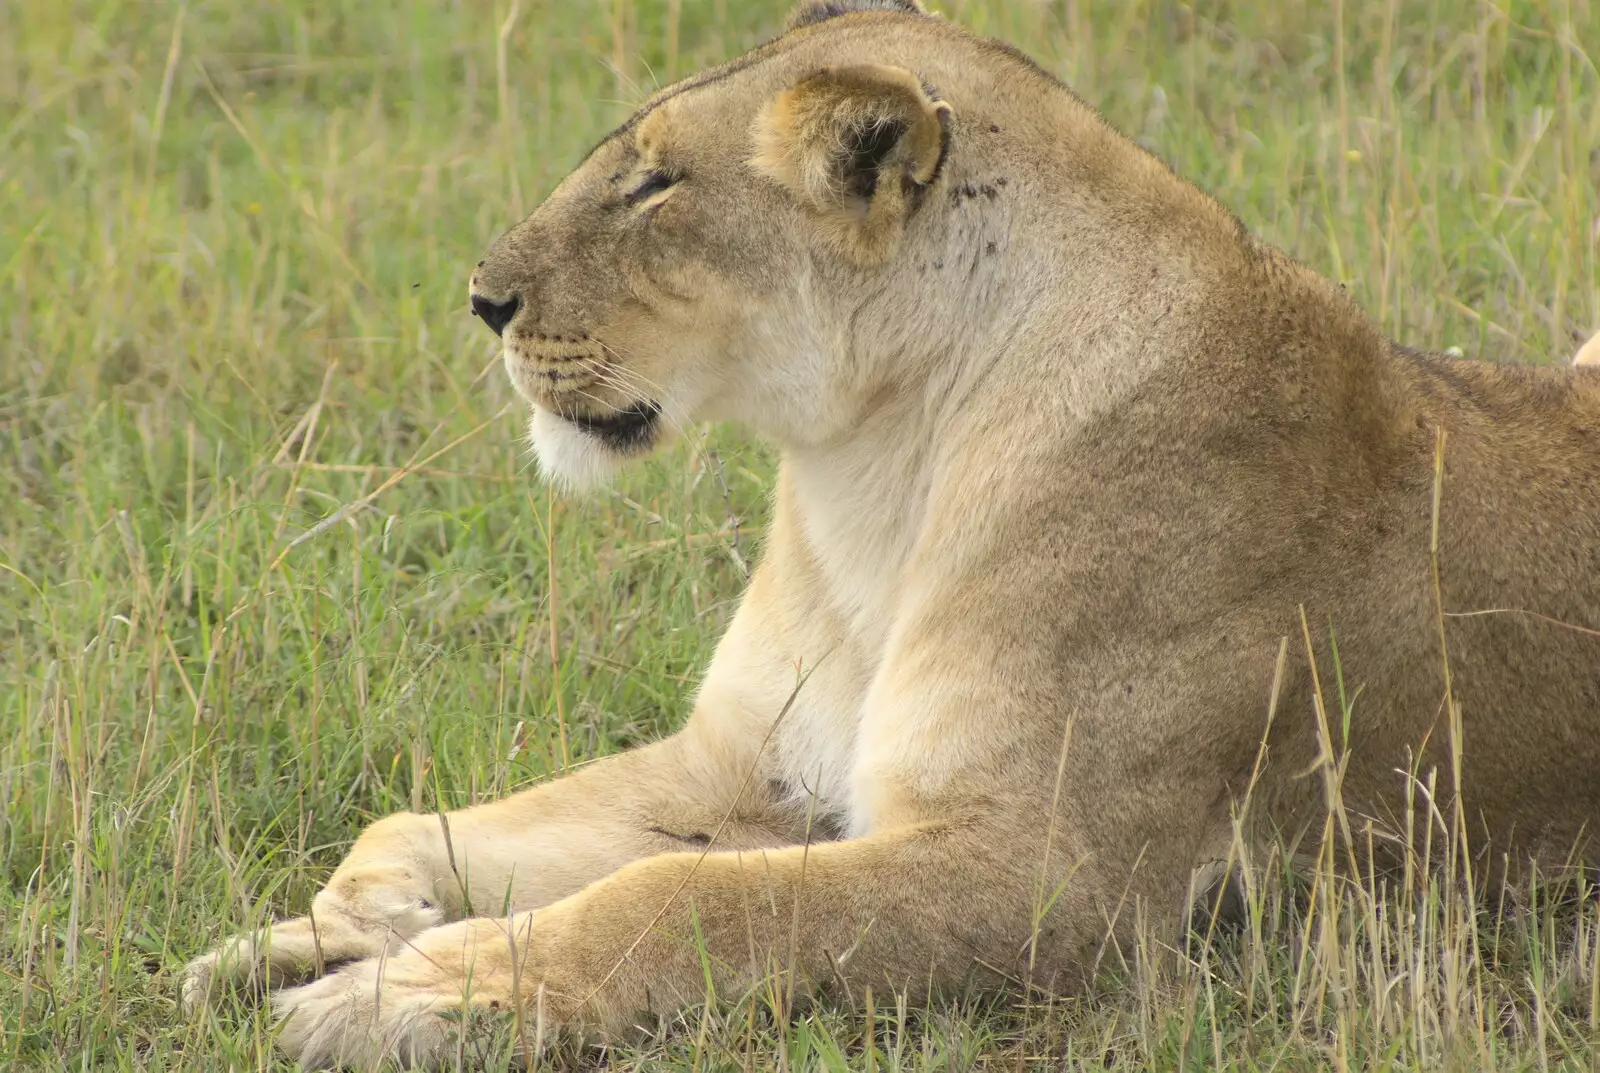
(234, 242)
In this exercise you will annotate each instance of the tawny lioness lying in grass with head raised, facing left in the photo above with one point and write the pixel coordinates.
(1076, 477)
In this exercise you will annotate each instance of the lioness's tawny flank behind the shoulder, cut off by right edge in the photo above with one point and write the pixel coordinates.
(1519, 565)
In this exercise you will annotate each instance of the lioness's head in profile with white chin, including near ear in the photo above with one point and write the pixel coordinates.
(703, 261)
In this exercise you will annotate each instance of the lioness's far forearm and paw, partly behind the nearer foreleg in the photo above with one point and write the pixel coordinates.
(409, 874)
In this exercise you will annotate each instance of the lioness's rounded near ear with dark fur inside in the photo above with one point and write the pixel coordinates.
(860, 146)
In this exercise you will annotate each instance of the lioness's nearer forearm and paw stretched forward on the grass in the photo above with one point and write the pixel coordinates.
(894, 911)
